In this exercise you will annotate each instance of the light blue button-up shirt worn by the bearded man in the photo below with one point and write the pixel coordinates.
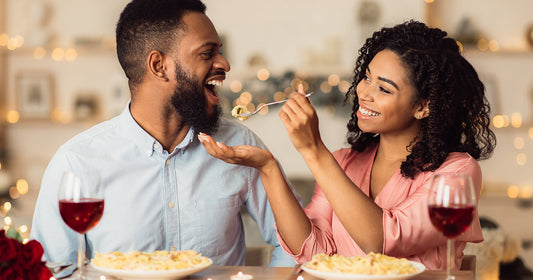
(155, 200)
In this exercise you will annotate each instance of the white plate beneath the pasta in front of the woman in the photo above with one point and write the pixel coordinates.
(343, 276)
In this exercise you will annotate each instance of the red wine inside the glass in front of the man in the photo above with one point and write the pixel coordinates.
(83, 215)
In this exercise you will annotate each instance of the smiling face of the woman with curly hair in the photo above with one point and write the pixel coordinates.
(385, 98)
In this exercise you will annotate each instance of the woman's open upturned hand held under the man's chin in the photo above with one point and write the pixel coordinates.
(246, 155)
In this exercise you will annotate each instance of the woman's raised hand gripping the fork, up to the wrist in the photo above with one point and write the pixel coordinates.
(301, 122)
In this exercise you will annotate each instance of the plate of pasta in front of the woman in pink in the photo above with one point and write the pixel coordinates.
(370, 267)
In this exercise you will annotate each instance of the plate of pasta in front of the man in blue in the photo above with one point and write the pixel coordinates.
(156, 265)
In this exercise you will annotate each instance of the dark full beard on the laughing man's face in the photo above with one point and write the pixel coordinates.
(190, 103)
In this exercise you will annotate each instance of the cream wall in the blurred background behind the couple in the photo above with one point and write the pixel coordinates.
(311, 35)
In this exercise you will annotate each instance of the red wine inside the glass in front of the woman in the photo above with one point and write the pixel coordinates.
(451, 221)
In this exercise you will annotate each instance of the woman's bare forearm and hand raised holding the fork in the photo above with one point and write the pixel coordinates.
(360, 216)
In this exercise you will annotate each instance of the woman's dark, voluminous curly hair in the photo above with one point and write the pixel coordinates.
(459, 112)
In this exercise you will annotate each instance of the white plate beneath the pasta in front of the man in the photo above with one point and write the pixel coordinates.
(152, 274)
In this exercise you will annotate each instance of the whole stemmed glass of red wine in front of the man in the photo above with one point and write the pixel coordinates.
(81, 205)
